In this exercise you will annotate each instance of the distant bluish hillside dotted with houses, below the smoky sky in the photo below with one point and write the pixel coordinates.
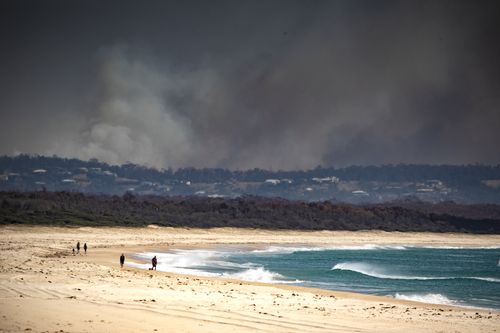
(356, 184)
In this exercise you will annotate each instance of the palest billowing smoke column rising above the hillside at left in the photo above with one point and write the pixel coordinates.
(133, 119)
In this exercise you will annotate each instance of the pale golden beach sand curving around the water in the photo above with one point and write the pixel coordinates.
(44, 288)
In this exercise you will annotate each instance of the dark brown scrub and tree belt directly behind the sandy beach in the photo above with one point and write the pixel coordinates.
(76, 209)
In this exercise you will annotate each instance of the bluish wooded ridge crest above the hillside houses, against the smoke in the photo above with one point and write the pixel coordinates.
(454, 175)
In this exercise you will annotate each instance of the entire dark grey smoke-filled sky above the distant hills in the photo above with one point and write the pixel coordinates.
(251, 84)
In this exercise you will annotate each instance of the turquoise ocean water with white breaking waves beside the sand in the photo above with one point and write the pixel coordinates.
(468, 277)
